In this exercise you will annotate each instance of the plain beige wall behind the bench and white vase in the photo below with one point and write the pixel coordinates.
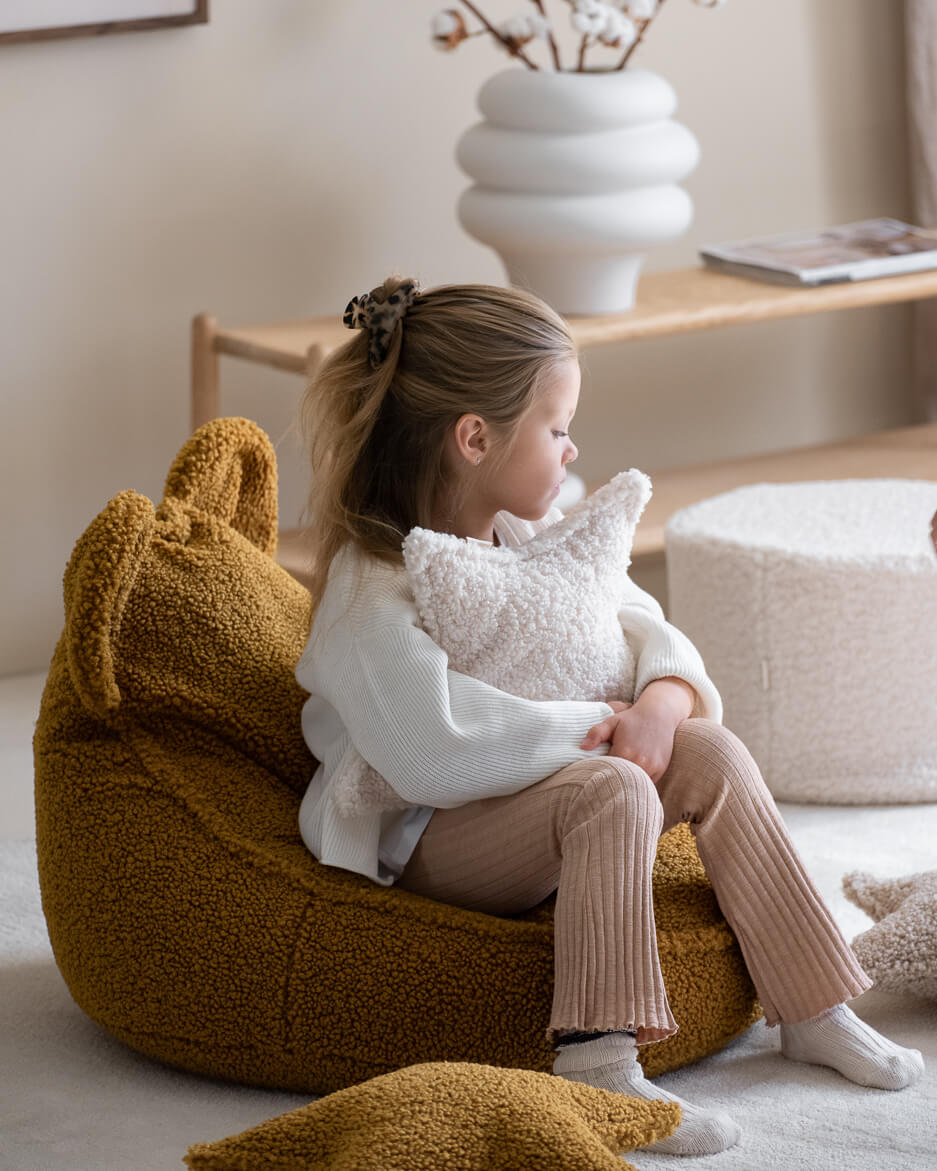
(290, 154)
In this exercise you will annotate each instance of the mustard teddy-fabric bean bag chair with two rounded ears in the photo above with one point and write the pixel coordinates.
(186, 914)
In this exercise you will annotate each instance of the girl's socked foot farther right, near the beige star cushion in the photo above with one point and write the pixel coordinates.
(840, 1040)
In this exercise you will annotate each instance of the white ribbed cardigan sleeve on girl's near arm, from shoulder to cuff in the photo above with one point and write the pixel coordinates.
(440, 738)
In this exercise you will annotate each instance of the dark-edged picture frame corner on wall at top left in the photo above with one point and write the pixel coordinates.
(44, 20)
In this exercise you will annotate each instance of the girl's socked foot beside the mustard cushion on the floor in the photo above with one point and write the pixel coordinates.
(610, 1063)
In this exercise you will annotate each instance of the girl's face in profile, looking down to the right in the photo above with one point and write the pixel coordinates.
(530, 481)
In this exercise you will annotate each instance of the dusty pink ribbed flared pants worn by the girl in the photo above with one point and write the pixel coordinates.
(590, 832)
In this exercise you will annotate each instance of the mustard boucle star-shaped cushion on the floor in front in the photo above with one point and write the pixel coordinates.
(453, 1115)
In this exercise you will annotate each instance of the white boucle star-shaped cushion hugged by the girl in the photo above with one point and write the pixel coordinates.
(538, 620)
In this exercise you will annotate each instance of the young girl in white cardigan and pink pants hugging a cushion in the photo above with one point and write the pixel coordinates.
(452, 410)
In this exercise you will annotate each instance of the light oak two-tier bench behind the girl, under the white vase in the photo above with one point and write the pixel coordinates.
(674, 303)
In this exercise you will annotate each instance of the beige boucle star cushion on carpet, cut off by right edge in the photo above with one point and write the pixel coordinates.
(900, 953)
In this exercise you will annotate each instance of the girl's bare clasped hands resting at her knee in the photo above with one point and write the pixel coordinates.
(644, 732)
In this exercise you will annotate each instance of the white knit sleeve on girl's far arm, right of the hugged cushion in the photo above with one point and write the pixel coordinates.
(662, 650)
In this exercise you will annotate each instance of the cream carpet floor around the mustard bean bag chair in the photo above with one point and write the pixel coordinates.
(71, 1098)
